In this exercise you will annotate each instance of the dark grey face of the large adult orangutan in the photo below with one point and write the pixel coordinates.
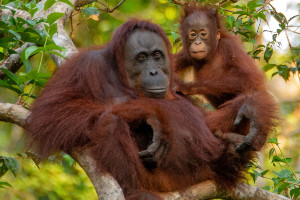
(147, 64)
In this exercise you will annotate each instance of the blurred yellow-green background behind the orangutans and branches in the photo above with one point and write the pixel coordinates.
(56, 181)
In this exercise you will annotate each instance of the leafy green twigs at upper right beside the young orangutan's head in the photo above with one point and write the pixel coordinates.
(243, 19)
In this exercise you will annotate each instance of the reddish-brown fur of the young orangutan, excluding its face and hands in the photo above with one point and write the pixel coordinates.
(228, 78)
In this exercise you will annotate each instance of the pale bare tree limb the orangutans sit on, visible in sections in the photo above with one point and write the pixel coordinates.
(107, 188)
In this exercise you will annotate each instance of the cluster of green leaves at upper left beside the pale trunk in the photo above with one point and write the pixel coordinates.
(17, 31)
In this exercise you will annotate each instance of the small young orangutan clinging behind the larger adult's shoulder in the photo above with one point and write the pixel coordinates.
(226, 75)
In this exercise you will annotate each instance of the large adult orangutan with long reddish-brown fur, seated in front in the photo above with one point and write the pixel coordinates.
(116, 102)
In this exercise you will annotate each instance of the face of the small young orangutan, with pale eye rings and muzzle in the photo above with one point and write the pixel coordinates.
(198, 35)
